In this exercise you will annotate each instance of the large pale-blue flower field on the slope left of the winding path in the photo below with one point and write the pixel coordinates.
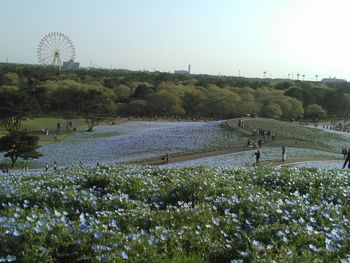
(137, 140)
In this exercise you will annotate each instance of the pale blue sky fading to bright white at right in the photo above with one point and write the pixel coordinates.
(216, 37)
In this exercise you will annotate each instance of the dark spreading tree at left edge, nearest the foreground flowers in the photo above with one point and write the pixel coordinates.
(19, 144)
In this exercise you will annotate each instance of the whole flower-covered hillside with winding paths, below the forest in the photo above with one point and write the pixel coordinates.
(146, 141)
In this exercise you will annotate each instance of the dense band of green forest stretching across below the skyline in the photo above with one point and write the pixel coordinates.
(28, 89)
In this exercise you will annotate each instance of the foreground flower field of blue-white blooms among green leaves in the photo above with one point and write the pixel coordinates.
(141, 214)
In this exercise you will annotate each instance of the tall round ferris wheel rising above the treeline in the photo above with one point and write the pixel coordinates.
(54, 49)
